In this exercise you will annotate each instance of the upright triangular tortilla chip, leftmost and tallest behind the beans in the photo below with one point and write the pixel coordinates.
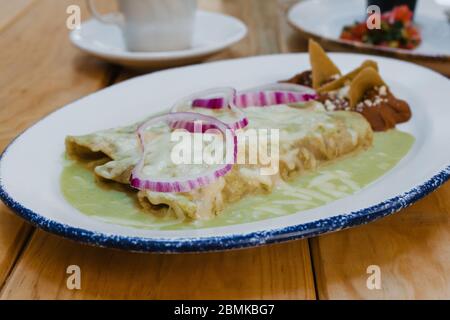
(323, 69)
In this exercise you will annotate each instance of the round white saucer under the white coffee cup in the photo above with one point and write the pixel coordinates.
(213, 33)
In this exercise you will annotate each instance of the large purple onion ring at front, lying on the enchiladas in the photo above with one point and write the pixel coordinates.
(140, 181)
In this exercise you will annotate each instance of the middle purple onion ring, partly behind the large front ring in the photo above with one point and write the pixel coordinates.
(217, 98)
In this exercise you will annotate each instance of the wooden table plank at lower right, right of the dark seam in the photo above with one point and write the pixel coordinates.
(411, 248)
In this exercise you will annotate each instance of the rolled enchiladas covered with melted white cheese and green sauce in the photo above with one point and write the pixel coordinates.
(307, 138)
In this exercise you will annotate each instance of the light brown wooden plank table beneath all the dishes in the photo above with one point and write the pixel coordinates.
(41, 71)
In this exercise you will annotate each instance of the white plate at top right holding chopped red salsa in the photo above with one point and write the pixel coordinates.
(429, 16)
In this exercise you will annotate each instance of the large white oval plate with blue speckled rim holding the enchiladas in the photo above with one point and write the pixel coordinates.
(30, 167)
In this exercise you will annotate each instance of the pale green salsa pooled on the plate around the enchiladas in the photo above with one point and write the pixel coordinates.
(115, 203)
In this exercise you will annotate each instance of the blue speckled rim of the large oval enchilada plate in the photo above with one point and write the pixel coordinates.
(235, 241)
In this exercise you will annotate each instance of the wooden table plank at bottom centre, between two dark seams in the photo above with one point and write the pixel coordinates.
(273, 272)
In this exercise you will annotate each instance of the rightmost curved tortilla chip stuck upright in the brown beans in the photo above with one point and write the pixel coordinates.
(367, 79)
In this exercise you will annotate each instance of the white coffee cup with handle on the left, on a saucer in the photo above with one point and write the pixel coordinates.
(153, 25)
